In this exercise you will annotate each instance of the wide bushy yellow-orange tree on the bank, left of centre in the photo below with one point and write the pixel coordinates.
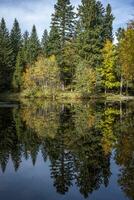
(42, 78)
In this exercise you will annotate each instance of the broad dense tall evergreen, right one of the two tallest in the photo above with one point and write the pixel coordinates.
(90, 31)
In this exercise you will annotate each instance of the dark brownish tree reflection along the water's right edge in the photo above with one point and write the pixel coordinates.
(125, 152)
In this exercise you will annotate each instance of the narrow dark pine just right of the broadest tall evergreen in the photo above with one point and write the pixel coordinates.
(108, 24)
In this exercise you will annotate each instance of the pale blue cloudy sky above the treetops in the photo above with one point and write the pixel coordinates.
(38, 12)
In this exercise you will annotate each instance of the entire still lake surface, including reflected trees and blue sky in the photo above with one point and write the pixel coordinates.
(77, 151)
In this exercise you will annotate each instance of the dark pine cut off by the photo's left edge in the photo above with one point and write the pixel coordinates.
(6, 57)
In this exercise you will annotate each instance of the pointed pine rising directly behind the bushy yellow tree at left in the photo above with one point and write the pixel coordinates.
(34, 46)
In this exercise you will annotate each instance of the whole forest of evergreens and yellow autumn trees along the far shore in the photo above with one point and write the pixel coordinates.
(77, 58)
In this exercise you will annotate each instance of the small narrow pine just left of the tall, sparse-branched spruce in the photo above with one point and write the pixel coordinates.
(44, 43)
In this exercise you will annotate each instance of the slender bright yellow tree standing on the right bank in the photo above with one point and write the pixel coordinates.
(107, 70)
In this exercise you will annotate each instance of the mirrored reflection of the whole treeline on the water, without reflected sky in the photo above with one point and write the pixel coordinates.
(77, 139)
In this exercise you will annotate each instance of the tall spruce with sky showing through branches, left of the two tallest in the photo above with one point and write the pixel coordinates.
(62, 31)
